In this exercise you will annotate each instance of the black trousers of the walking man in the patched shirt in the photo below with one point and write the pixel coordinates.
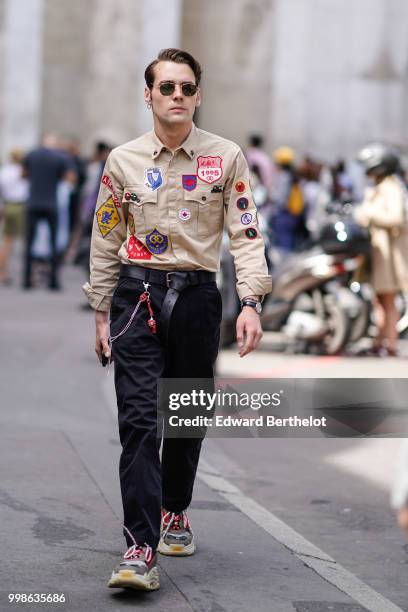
(141, 358)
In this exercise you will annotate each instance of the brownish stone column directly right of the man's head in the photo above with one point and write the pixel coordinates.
(233, 40)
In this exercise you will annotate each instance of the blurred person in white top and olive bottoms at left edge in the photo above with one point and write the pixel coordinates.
(13, 196)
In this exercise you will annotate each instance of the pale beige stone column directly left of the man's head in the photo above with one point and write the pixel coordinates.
(124, 37)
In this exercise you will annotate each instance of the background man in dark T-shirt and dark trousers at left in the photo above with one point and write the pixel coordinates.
(45, 168)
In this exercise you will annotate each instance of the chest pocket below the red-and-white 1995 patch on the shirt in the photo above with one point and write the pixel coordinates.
(209, 209)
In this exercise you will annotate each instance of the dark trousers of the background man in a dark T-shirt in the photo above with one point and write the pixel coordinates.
(33, 218)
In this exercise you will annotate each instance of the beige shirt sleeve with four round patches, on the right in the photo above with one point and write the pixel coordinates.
(246, 242)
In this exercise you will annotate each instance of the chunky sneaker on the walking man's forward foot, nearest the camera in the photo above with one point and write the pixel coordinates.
(137, 570)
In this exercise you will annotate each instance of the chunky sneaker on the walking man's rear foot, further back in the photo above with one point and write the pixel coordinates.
(176, 535)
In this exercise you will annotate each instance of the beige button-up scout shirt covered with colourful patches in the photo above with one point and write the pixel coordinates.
(166, 210)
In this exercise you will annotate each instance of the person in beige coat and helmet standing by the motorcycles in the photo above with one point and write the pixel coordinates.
(384, 212)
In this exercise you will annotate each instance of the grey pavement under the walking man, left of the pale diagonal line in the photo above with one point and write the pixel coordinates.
(59, 493)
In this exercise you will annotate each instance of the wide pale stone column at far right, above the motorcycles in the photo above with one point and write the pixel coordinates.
(338, 74)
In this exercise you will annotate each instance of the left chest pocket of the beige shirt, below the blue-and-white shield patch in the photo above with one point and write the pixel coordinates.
(142, 203)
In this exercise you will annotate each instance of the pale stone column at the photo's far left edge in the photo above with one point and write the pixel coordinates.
(20, 103)
